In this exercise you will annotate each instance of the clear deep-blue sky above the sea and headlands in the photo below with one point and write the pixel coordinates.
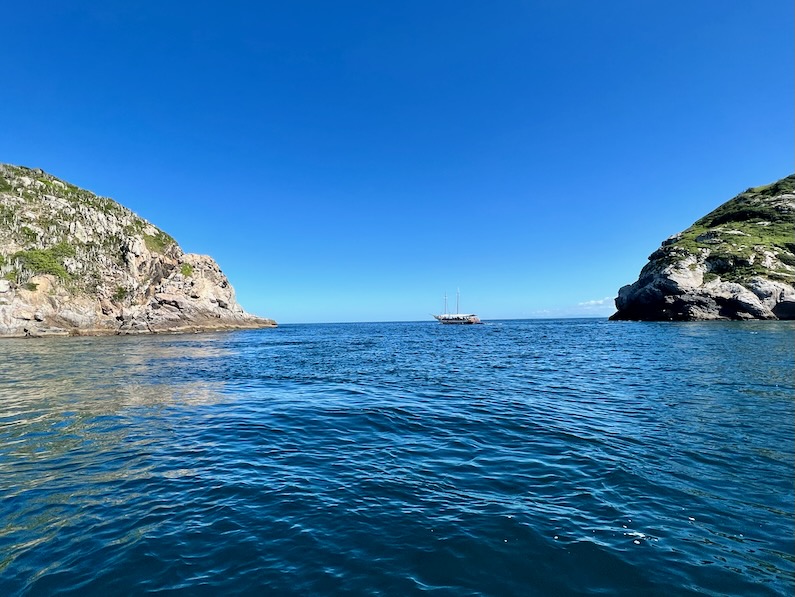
(355, 160)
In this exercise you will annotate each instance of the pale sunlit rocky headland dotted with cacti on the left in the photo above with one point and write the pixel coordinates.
(75, 263)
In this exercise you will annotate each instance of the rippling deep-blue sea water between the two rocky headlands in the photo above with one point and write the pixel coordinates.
(514, 458)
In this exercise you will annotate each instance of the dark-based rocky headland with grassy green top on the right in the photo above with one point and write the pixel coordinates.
(737, 262)
